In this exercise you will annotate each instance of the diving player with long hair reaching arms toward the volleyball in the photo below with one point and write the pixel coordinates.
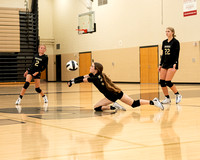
(111, 92)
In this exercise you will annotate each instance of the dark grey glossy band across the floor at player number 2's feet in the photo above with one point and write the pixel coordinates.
(47, 112)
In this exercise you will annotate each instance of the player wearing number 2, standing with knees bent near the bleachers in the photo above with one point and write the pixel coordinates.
(39, 64)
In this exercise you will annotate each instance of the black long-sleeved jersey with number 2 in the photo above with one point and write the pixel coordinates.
(39, 63)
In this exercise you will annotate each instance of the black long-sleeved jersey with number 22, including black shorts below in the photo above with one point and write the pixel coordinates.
(170, 53)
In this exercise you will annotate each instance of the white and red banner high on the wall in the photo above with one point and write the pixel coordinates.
(189, 7)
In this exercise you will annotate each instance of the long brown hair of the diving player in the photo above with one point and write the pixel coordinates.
(109, 84)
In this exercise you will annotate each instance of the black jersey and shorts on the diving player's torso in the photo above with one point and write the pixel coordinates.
(98, 81)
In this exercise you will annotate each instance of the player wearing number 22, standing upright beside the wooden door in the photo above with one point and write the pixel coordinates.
(169, 65)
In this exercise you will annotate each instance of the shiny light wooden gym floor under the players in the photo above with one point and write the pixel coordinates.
(68, 128)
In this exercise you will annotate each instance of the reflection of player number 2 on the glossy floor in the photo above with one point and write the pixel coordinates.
(32, 137)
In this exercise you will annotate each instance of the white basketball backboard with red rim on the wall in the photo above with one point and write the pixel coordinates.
(86, 21)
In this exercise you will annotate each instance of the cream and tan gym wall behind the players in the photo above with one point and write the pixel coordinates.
(122, 27)
